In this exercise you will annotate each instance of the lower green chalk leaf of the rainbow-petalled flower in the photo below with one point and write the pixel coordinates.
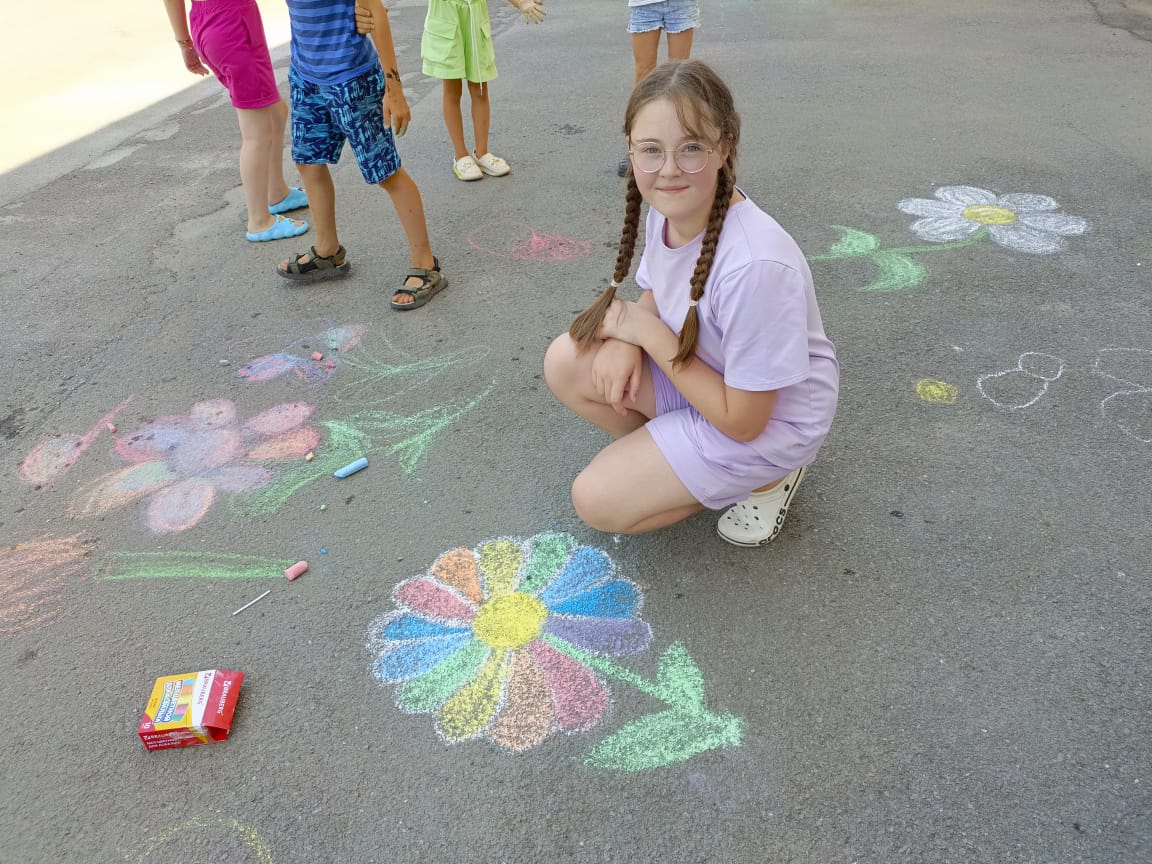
(665, 739)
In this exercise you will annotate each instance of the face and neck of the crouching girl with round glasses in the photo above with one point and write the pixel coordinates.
(684, 199)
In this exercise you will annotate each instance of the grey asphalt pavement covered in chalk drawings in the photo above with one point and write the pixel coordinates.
(945, 660)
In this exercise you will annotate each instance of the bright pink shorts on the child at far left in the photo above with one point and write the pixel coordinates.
(229, 36)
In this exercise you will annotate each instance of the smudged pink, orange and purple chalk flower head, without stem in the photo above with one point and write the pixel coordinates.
(184, 464)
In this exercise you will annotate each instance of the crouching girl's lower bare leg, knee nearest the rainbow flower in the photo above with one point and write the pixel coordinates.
(631, 489)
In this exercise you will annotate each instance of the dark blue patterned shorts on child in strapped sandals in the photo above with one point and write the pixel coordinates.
(325, 116)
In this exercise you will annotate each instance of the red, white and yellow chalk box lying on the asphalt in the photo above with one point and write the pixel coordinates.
(192, 709)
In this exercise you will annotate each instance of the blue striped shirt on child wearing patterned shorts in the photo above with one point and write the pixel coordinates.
(325, 46)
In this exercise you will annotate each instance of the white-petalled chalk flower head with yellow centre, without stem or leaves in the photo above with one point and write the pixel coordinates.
(1021, 222)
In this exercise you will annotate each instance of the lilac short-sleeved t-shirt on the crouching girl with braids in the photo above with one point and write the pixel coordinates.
(760, 324)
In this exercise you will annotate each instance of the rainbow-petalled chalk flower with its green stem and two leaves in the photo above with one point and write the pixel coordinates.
(513, 643)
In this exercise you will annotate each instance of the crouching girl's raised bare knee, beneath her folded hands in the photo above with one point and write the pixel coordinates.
(569, 374)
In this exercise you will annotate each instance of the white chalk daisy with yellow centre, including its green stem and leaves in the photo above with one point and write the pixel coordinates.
(960, 216)
